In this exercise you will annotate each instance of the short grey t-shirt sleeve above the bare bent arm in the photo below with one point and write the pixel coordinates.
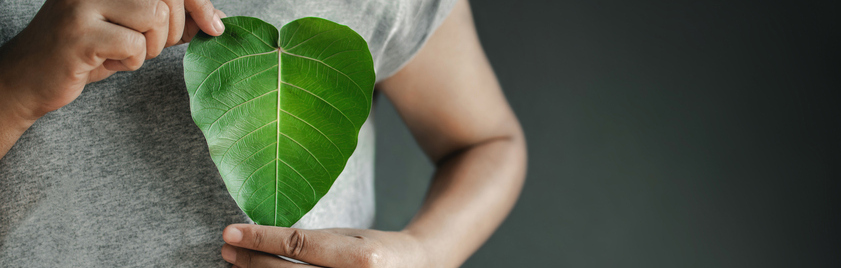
(416, 21)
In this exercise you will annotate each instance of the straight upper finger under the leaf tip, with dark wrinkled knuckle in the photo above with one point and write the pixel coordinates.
(311, 246)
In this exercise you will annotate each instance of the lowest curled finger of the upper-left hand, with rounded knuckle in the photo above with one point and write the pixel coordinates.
(118, 48)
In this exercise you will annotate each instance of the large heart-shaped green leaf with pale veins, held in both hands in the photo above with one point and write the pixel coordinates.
(281, 111)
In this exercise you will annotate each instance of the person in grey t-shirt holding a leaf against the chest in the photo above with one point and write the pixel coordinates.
(118, 175)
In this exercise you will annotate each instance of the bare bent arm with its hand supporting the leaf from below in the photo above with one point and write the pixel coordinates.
(449, 97)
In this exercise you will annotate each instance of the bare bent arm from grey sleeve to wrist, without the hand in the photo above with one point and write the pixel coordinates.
(451, 100)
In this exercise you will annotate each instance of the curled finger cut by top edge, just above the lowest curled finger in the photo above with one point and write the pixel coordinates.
(139, 15)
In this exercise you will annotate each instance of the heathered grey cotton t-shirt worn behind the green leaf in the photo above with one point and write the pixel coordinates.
(122, 177)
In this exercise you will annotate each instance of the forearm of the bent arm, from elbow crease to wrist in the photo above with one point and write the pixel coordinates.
(471, 194)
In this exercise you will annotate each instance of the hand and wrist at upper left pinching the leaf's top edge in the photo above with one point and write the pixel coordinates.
(71, 43)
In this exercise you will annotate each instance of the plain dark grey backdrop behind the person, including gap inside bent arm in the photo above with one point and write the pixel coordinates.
(661, 134)
